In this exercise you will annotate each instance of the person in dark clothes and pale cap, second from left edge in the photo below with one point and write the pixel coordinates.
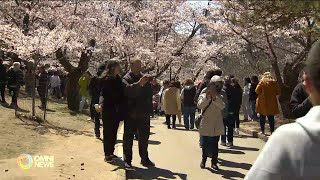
(15, 81)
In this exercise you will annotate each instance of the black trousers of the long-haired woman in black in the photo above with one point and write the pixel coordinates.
(110, 130)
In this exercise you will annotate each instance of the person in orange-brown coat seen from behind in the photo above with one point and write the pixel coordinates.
(267, 102)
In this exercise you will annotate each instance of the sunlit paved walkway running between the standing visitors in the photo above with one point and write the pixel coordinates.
(177, 156)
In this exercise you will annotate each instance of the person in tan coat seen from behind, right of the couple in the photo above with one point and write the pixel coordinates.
(172, 104)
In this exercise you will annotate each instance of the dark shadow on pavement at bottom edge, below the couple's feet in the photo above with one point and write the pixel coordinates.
(153, 173)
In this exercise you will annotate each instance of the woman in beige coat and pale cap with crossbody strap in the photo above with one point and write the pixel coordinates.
(211, 126)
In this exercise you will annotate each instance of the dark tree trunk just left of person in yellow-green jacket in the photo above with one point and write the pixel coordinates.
(73, 97)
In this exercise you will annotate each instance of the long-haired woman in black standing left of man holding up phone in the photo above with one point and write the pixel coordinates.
(113, 105)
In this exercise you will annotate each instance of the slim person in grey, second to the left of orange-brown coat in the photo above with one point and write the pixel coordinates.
(247, 112)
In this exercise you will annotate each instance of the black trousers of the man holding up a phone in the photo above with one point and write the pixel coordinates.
(131, 126)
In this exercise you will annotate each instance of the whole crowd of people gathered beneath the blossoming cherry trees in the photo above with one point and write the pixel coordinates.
(219, 98)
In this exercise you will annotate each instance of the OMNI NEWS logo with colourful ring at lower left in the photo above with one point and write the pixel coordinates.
(26, 161)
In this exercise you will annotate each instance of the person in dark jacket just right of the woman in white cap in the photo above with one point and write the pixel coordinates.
(235, 104)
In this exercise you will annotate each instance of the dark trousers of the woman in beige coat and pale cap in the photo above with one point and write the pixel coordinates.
(210, 147)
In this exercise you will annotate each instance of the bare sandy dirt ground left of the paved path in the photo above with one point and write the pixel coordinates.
(69, 138)
